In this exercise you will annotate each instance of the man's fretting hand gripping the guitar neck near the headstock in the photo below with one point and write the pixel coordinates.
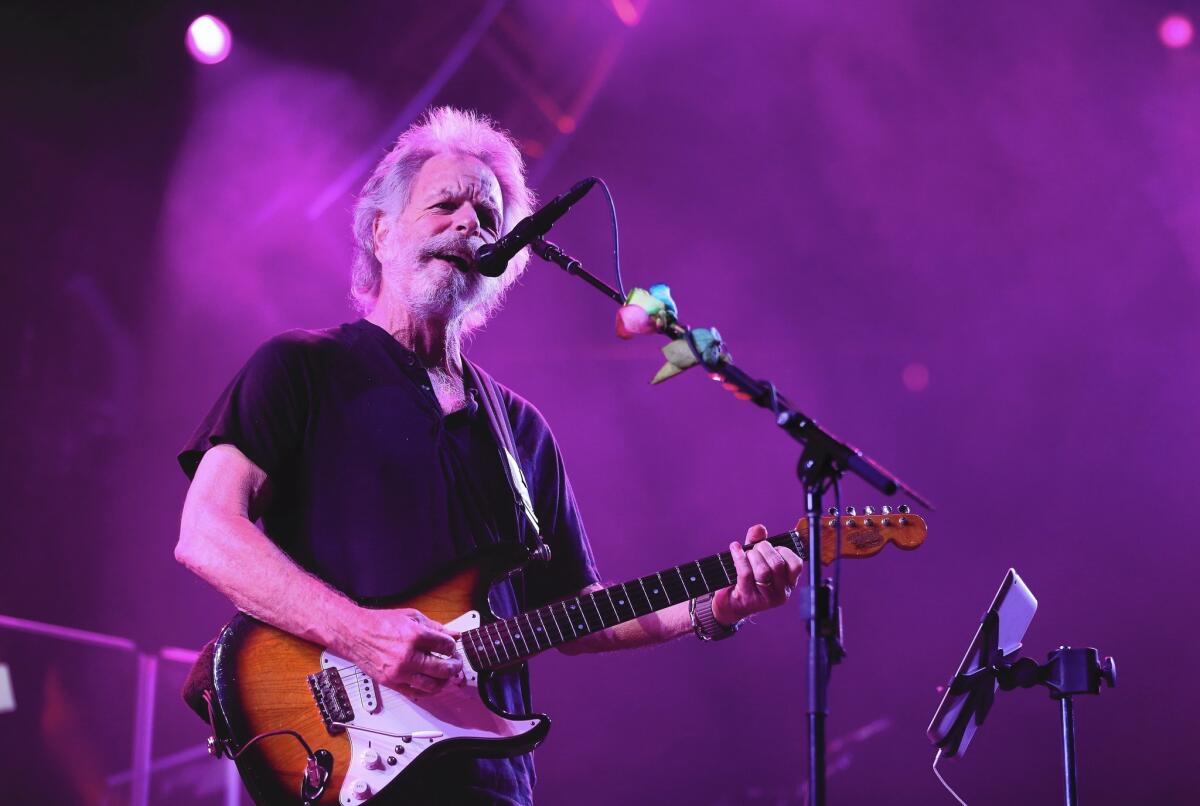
(766, 578)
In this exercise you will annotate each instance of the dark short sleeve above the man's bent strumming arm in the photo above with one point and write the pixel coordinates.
(262, 412)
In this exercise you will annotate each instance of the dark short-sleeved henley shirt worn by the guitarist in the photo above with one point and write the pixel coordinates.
(376, 492)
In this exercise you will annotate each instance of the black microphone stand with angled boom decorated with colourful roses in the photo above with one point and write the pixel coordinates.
(824, 460)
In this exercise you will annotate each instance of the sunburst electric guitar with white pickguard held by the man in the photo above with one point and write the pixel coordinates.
(307, 726)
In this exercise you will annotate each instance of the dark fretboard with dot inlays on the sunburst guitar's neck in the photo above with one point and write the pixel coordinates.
(511, 641)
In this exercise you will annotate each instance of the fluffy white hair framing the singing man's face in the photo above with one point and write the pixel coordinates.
(442, 130)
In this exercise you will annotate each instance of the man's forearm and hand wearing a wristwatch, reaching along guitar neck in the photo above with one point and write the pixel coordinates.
(766, 579)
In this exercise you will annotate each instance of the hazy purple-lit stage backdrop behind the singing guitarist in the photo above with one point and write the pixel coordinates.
(1004, 194)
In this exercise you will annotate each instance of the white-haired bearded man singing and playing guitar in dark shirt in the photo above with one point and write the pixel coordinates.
(364, 452)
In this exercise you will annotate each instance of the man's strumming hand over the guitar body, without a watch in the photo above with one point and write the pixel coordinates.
(403, 649)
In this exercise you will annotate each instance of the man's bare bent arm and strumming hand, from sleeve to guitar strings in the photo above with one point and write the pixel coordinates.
(220, 543)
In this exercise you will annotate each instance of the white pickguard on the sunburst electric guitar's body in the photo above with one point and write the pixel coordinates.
(391, 731)
